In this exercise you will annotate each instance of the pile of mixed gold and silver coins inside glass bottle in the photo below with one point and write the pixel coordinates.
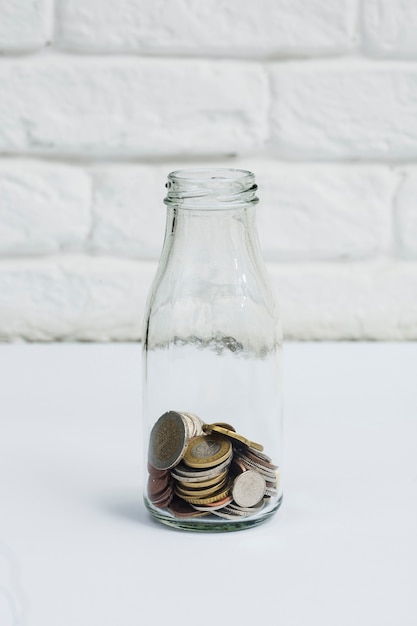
(197, 469)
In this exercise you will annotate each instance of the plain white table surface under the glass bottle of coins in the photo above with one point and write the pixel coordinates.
(77, 547)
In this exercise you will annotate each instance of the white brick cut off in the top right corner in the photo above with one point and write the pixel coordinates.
(390, 27)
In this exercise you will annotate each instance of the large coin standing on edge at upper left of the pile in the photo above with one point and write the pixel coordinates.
(168, 441)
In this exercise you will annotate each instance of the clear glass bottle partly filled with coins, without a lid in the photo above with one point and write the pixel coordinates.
(212, 340)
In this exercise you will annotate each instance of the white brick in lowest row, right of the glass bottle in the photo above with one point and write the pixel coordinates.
(350, 301)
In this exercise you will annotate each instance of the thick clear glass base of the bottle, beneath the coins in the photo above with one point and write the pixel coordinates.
(212, 525)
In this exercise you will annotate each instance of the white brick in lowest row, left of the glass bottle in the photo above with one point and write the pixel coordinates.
(72, 298)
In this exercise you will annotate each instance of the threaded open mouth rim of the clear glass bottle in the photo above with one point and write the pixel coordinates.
(211, 188)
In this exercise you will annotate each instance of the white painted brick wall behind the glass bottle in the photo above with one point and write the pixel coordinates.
(99, 100)
